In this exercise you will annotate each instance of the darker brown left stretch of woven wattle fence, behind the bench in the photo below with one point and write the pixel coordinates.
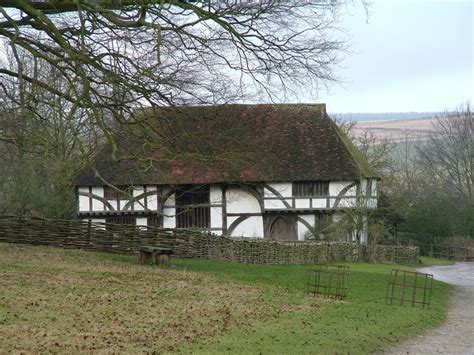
(123, 239)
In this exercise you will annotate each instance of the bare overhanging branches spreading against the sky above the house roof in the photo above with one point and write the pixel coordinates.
(117, 56)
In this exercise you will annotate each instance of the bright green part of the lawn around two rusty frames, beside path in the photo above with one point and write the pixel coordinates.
(362, 324)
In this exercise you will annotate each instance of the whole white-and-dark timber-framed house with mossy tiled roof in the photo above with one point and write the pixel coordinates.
(259, 171)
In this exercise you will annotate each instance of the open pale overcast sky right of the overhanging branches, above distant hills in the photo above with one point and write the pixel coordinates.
(411, 56)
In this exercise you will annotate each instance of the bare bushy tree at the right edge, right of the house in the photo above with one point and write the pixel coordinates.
(432, 186)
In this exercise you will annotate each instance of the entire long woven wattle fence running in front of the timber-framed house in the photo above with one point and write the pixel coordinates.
(126, 239)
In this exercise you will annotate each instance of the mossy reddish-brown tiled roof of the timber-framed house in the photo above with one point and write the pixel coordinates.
(231, 143)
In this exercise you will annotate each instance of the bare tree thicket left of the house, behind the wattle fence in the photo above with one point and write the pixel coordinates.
(39, 143)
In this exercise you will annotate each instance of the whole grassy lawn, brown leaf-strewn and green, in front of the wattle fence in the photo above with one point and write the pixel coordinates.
(54, 300)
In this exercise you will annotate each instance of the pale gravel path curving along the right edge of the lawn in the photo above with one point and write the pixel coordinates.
(456, 336)
